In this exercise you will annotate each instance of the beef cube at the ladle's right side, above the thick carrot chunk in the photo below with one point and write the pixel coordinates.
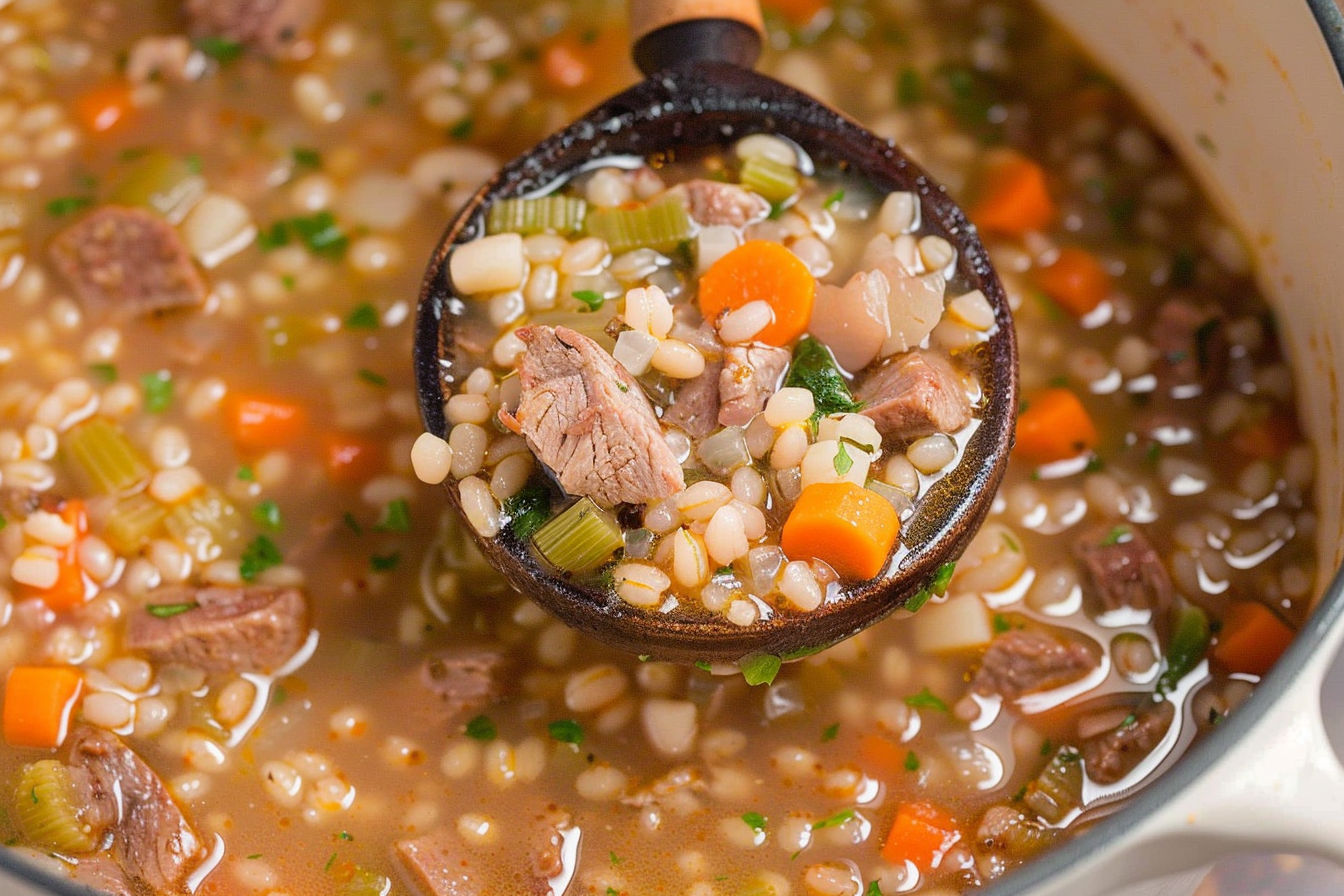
(915, 394)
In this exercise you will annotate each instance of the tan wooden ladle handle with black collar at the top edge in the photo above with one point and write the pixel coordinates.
(673, 33)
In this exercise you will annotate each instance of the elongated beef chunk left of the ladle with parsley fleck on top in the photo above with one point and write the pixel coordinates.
(249, 629)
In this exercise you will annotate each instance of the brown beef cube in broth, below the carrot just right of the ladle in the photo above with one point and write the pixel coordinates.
(1126, 570)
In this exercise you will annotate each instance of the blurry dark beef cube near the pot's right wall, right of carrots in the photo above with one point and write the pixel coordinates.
(1191, 345)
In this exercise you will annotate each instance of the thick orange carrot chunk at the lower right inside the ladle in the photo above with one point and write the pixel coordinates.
(845, 526)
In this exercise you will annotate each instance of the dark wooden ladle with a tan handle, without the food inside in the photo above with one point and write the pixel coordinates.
(702, 95)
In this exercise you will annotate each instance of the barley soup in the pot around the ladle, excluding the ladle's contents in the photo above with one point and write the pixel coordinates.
(247, 651)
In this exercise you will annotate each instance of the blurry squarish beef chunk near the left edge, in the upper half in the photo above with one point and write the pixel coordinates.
(128, 261)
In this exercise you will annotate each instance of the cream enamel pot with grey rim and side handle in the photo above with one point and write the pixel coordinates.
(1253, 100)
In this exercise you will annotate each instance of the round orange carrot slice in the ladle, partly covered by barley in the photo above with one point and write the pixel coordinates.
(761, 271)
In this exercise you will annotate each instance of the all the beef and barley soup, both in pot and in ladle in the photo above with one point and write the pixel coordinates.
(248, 651)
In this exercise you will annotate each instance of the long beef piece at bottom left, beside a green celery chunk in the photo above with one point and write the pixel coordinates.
(153, 840)
